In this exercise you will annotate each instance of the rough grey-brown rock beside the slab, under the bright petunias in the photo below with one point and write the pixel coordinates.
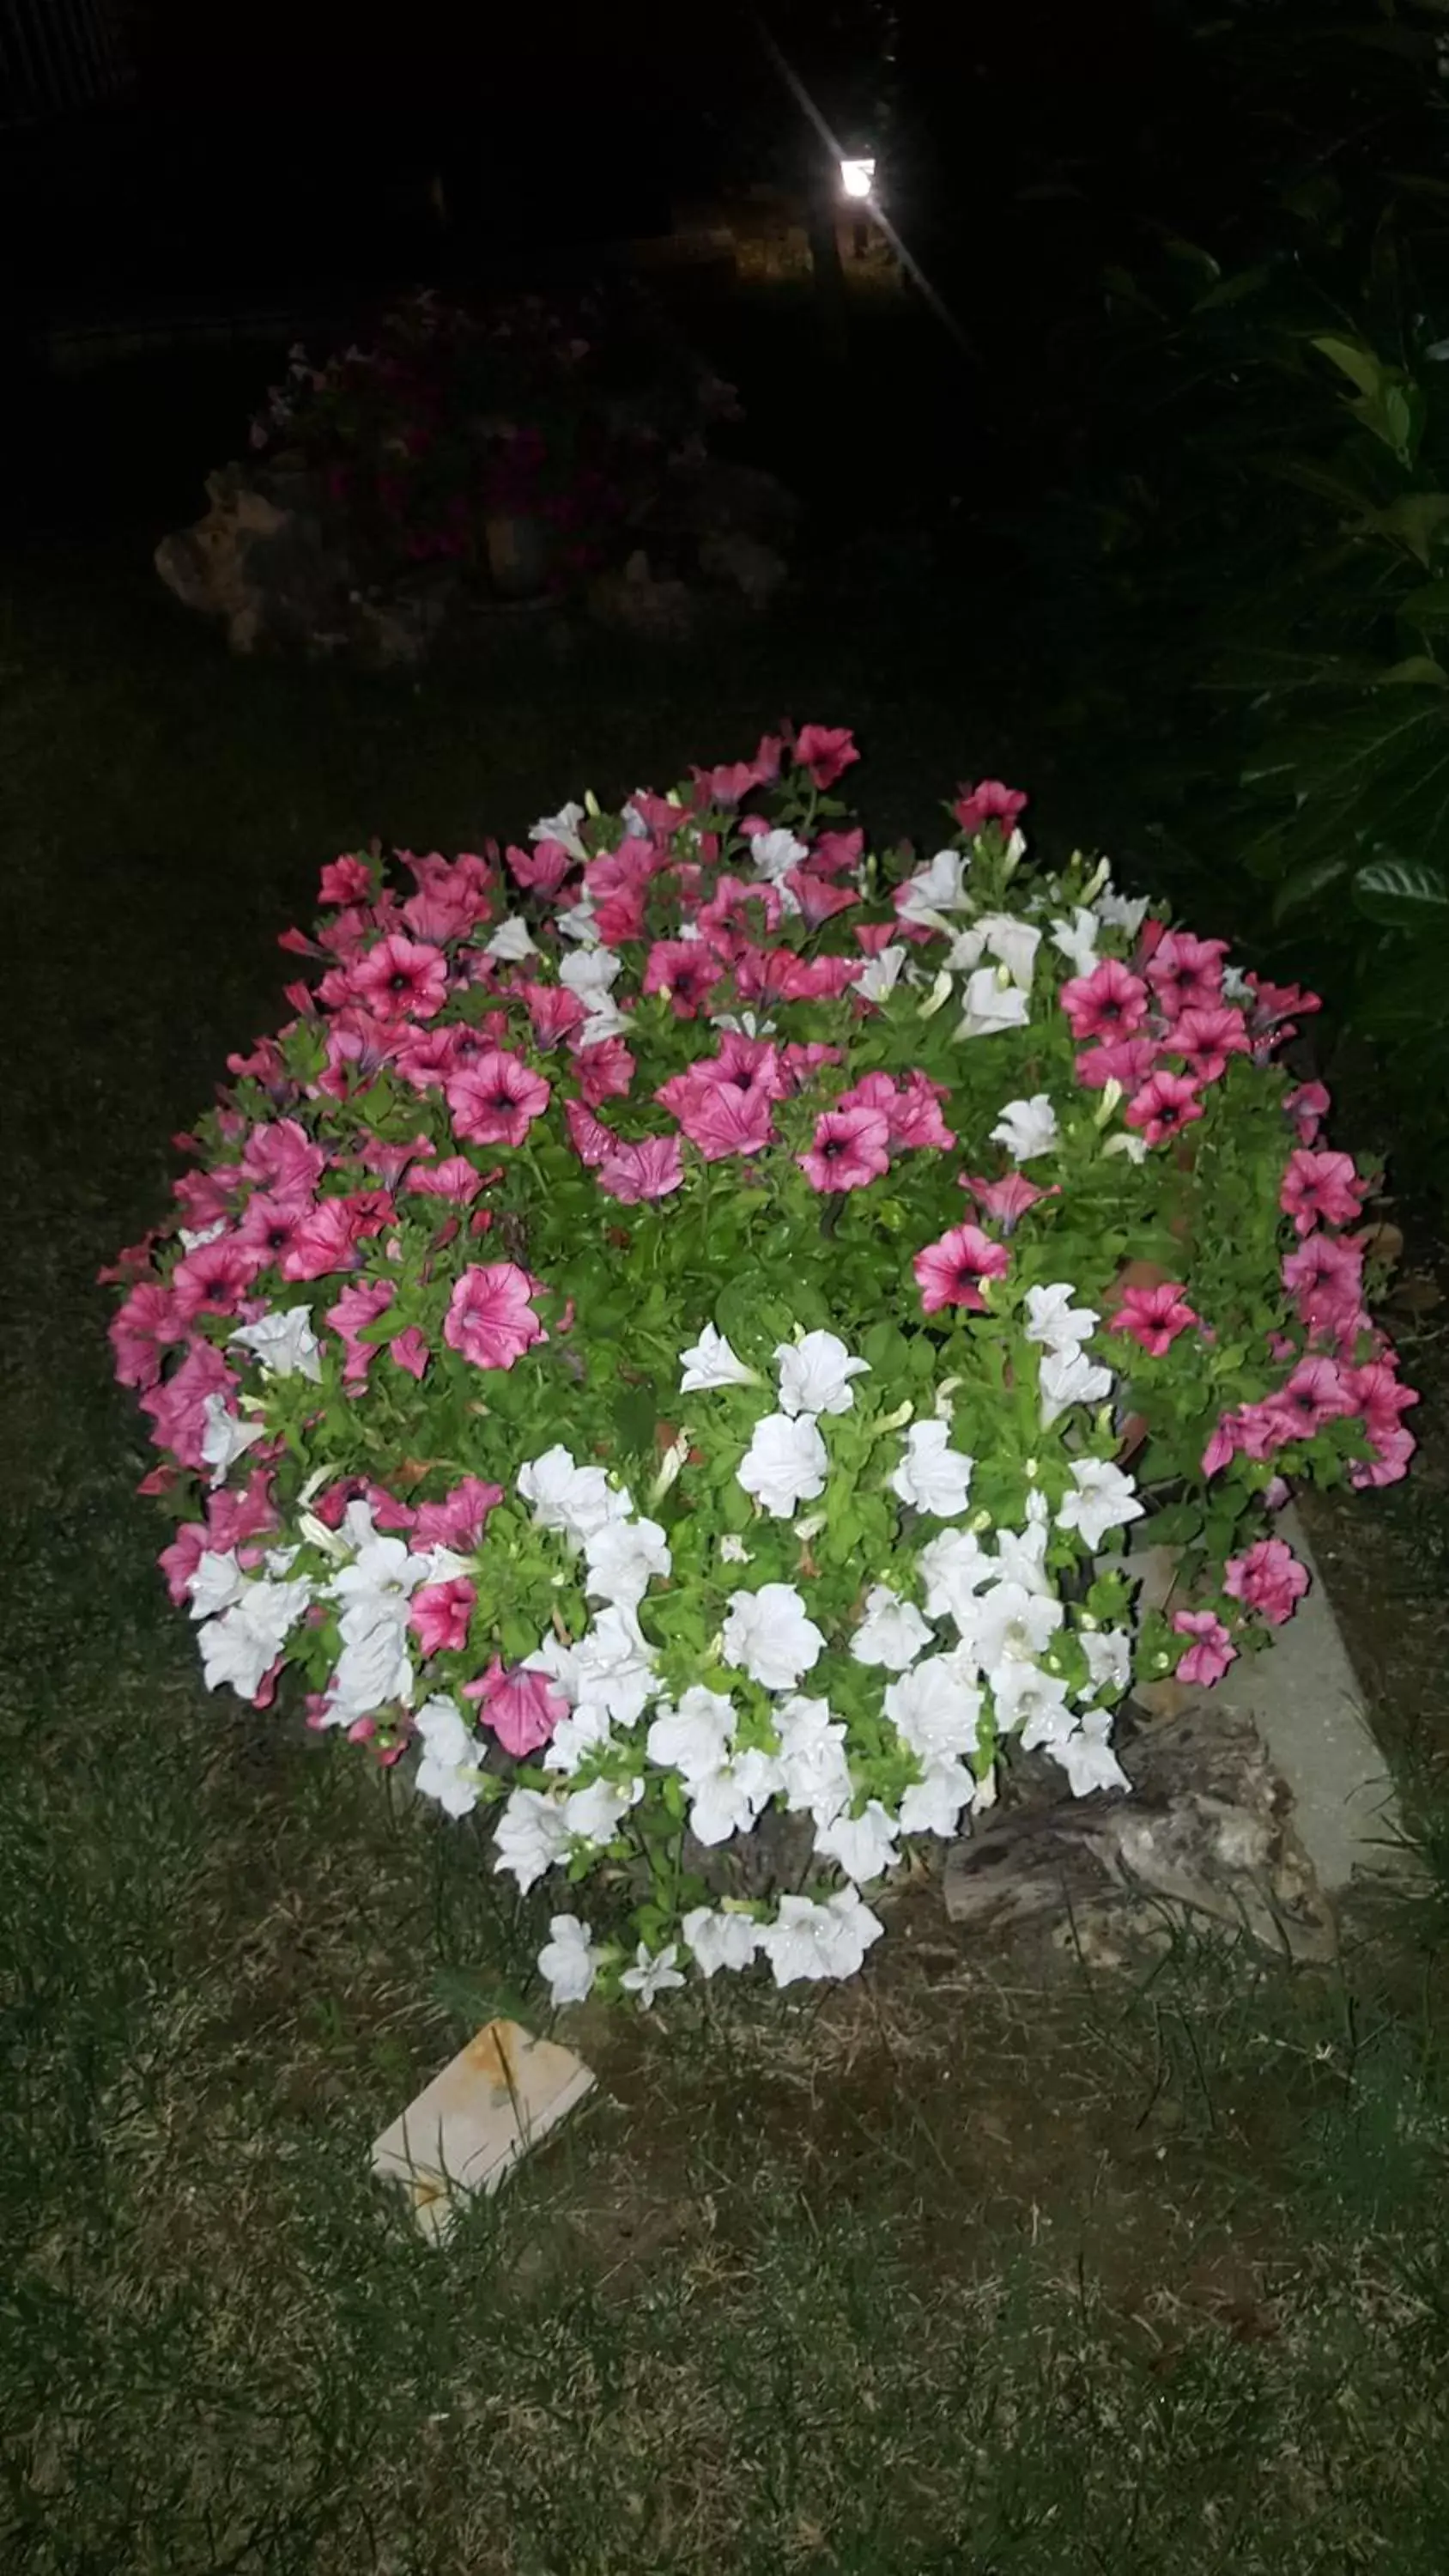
(1206, 1828)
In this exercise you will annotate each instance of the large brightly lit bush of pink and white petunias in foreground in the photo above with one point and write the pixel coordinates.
(681, 1320)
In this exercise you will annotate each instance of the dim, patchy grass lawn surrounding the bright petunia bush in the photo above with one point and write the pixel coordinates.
(959, 2271)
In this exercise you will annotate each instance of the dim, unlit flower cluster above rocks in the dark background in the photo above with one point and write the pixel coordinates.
(452, 419)
